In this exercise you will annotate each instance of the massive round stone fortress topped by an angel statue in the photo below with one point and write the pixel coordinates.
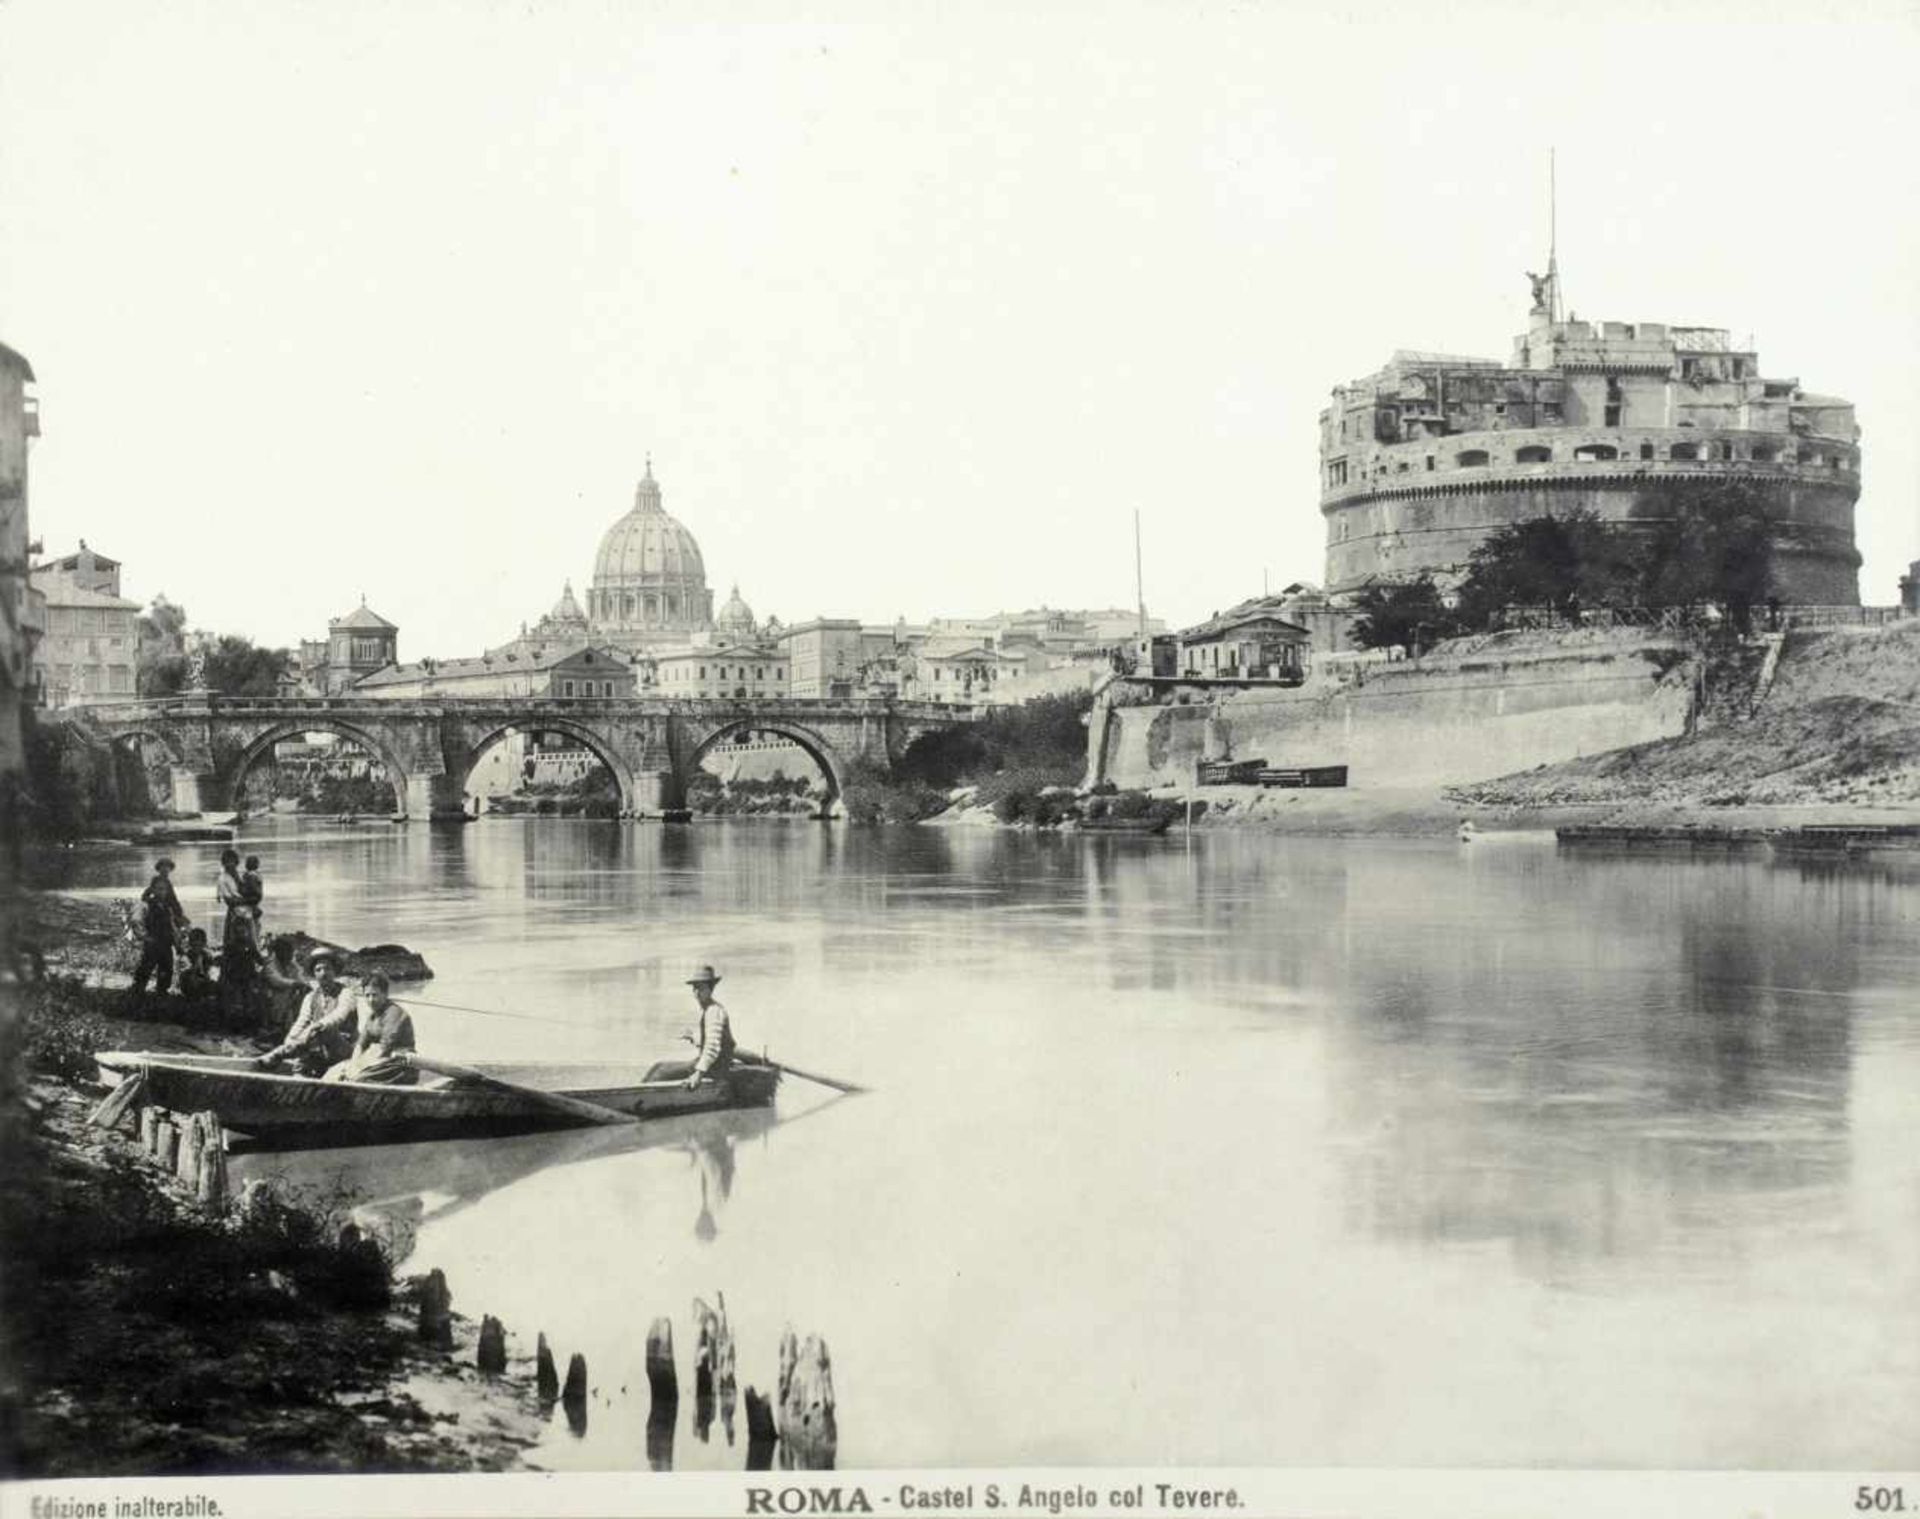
(1426, 458)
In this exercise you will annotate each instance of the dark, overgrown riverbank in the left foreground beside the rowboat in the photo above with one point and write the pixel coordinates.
(147, 1334)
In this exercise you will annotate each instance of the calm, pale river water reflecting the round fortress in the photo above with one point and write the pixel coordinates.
(1220, 1151)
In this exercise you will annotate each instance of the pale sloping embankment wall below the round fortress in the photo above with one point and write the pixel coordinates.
(1431, 723)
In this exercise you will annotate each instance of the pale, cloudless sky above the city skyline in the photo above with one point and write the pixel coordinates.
(913, 306)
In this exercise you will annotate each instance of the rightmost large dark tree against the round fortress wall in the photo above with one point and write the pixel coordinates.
(1712, 544)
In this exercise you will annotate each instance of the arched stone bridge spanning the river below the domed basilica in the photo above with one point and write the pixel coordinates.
(431, 746)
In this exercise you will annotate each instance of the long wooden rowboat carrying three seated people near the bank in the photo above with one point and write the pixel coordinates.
(446, 1103)
